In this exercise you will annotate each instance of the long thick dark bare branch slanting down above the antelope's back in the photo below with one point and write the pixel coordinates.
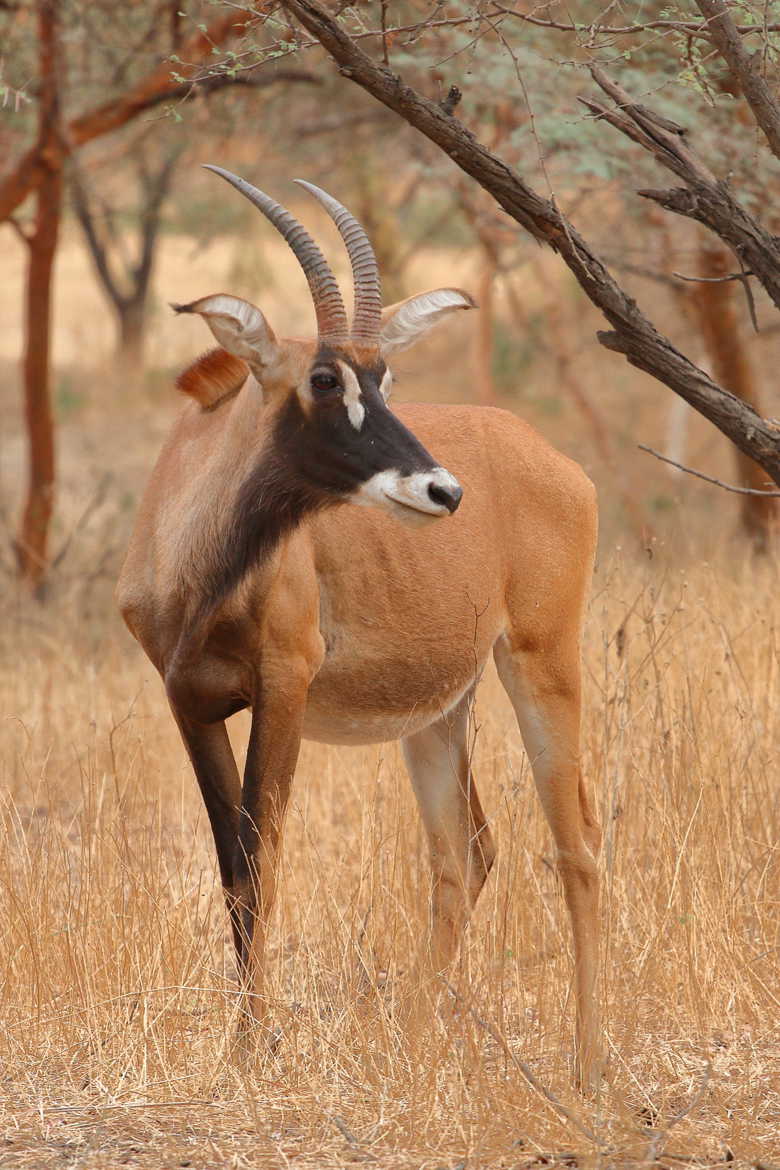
(632, 333)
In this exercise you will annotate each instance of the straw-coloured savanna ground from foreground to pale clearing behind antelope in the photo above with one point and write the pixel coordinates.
(118, 993)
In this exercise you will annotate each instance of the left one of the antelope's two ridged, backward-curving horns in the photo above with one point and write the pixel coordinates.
(329, 306)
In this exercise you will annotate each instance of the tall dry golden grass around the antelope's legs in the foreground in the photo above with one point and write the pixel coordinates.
(116, 986)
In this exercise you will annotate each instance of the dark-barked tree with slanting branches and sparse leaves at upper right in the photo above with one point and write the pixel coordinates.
(705, 198)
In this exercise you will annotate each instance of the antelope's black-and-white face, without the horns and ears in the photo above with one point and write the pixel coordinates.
(350, 444)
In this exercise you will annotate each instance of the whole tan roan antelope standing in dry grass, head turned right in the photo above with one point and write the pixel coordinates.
(250, 588)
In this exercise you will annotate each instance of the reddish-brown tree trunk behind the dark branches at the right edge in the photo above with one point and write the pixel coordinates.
(722, 332)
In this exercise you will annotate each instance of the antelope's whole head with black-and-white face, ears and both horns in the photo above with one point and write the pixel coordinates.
(334, 436)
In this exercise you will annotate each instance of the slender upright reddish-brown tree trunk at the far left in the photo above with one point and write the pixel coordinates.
(32, 542)
